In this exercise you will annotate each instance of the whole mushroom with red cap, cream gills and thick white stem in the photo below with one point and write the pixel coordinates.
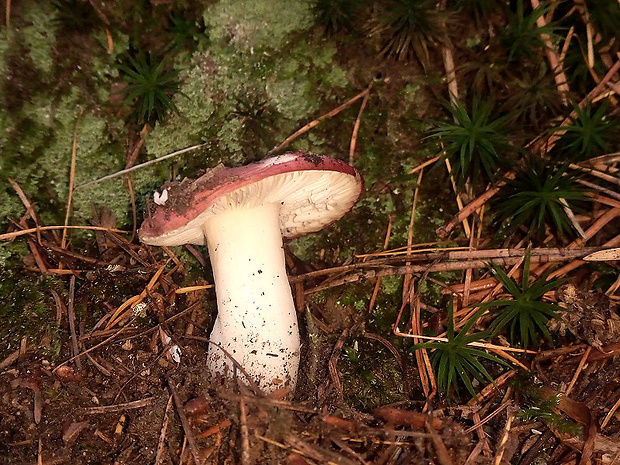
(242, 215)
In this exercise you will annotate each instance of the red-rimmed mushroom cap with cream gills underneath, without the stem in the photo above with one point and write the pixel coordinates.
(313, 191)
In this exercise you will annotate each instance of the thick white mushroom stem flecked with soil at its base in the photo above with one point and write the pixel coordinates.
(256, 321)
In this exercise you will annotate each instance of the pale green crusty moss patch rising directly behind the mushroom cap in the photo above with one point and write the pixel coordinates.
(258, 54)
